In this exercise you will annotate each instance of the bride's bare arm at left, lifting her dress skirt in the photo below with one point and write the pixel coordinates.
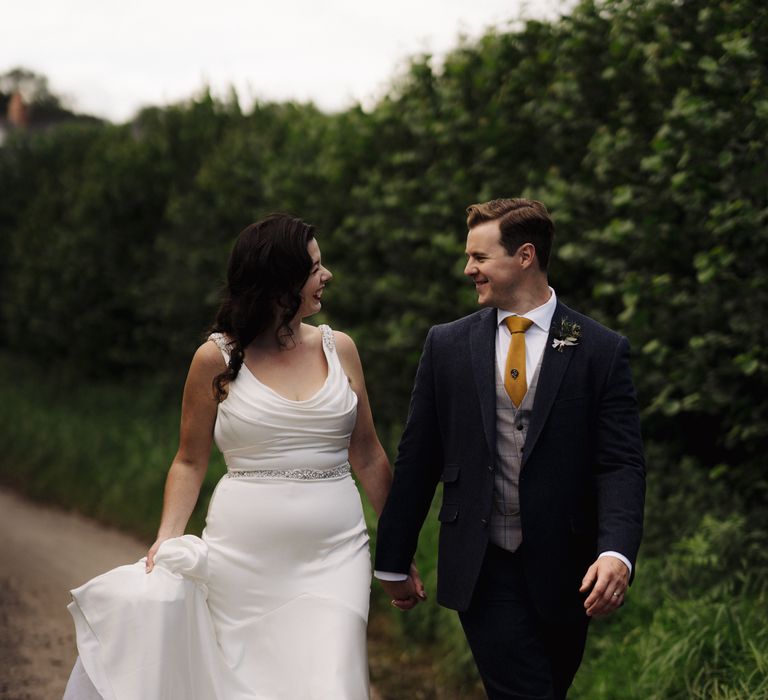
(187, 471)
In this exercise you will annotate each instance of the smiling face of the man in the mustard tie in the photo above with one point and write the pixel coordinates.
(495, 272)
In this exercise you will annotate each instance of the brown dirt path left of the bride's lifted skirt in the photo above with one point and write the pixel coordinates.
(43, 554)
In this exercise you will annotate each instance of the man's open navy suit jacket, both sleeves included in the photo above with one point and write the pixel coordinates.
(582, 481)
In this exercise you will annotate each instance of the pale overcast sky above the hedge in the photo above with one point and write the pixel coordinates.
(110, 57)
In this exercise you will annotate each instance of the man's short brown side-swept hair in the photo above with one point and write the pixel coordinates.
(520, 221)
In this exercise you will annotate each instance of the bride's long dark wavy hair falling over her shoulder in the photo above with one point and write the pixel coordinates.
(268, 266)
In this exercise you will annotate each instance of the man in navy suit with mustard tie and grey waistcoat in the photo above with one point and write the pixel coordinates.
(526, 411)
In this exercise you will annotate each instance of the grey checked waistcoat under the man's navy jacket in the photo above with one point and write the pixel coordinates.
(511, 431)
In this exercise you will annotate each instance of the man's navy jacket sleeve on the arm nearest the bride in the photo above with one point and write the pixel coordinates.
(417, 471)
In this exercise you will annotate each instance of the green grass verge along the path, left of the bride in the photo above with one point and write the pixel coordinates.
(103, 450)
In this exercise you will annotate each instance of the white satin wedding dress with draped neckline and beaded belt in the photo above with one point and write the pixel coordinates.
(272, 602)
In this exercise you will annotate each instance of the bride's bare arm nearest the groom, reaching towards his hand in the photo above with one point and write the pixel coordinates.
(366, 455)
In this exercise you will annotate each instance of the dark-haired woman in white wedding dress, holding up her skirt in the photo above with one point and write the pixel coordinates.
(272, 602)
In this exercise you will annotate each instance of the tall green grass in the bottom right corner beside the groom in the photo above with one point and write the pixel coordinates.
(687, 649)
